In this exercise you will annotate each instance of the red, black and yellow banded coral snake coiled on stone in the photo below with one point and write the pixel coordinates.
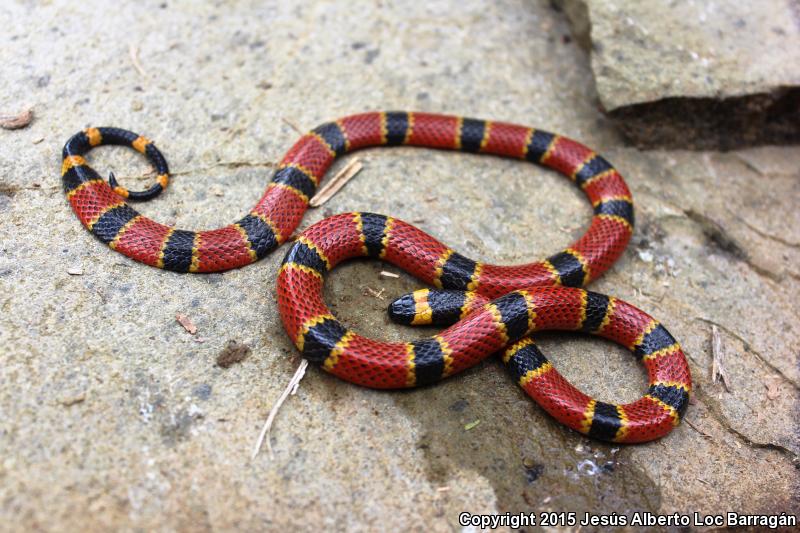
(487, 308)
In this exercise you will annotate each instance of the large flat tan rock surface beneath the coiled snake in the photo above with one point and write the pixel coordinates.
(112, 416)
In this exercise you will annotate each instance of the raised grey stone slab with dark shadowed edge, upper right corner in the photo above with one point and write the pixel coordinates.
(695, 74)
